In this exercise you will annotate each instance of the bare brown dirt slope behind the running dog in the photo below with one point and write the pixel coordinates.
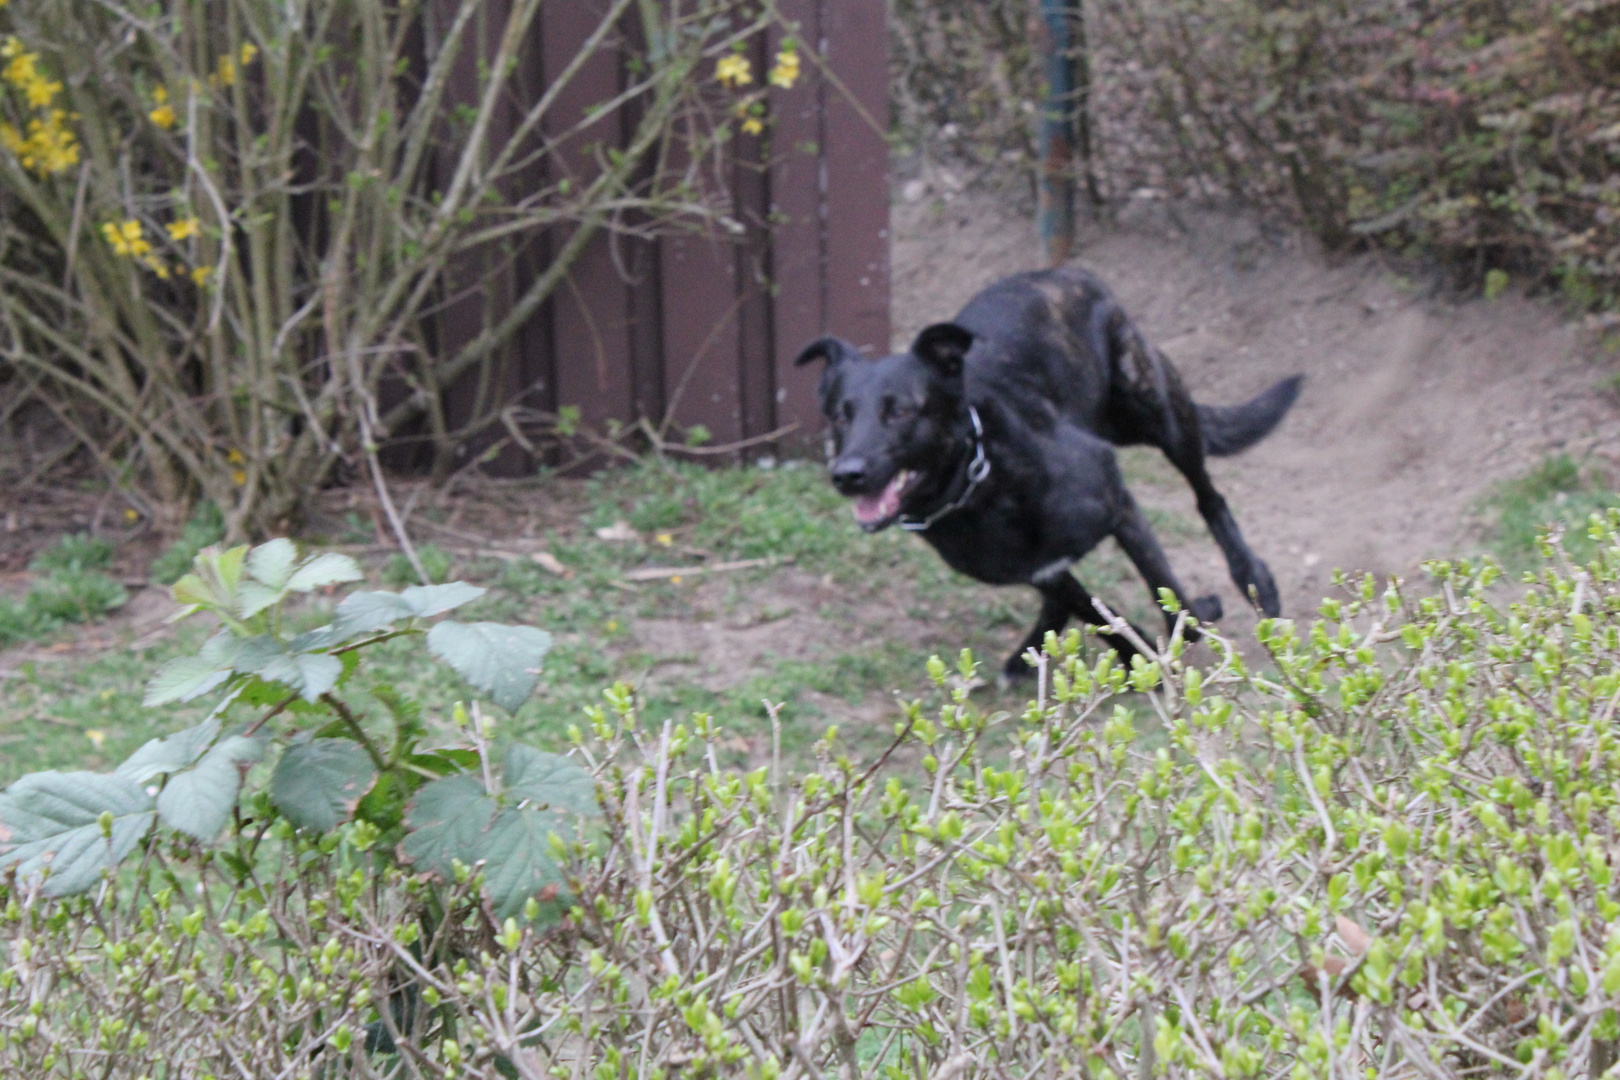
(1412, 409)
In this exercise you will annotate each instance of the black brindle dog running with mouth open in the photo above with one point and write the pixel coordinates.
(994, 438)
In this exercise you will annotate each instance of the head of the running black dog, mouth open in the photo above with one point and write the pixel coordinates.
(893, 422)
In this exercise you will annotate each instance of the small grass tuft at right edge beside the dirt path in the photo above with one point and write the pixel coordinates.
(1556, 493)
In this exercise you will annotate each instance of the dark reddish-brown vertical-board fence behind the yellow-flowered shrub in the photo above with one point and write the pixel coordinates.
(704, 330)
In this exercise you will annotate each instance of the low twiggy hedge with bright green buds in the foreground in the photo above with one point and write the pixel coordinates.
(1386, 854)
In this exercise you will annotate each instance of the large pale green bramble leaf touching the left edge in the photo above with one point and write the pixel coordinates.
(53, 822)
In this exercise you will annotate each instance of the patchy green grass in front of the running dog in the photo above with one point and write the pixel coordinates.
(885, 602)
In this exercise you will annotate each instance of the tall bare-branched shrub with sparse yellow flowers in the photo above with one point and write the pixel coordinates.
(228, 229)
